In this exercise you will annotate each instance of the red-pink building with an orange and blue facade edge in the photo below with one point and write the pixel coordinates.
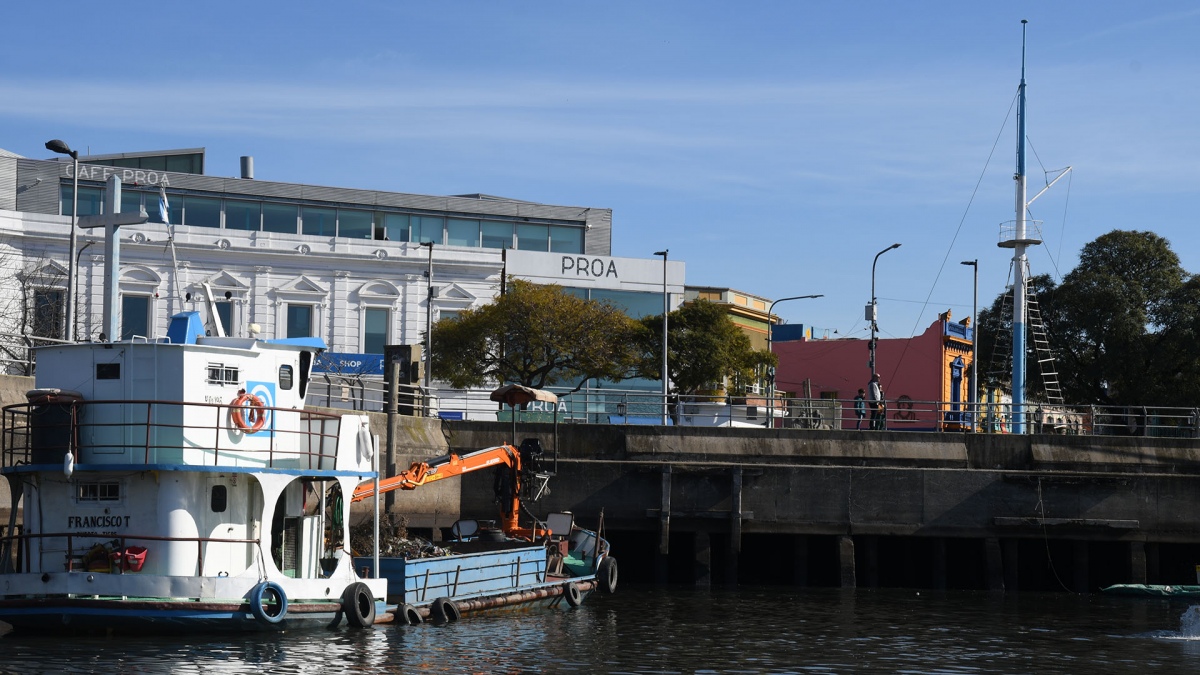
(927, 379)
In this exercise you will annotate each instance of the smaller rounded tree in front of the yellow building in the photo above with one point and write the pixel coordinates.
(704, 349)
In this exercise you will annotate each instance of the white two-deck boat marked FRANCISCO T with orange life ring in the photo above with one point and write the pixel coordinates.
(181, 483)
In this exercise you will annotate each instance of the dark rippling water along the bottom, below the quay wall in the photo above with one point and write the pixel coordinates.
(656, 630)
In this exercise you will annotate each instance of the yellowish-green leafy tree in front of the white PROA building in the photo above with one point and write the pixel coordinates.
(538, 337)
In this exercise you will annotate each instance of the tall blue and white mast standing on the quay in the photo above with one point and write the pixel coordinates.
(1021, 264)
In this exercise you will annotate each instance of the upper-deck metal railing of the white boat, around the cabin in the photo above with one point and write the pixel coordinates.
(152, 432)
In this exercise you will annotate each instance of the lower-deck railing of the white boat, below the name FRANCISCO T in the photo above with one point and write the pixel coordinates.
(116, 547)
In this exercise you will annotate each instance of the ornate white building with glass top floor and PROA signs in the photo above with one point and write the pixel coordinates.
(291, 260)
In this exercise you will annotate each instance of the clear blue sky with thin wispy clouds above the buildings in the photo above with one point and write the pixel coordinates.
(773, 147)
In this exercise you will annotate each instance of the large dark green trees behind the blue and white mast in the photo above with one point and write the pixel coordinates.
(1123, 325)
